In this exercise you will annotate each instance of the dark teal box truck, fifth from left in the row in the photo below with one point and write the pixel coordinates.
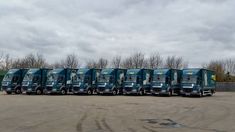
(111, 81)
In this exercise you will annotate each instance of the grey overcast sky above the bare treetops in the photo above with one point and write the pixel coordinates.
(197, 30)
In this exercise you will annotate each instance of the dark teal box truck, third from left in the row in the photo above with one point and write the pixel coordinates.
(59, 81)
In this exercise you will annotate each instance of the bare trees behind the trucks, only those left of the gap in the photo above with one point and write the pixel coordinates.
(136, 60)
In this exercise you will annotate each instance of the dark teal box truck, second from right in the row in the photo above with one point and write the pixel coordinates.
(166, 81)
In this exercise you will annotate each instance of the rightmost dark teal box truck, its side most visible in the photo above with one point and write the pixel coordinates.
(198, 82)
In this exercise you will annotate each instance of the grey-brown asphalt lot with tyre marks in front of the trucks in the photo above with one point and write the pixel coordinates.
(80, 113)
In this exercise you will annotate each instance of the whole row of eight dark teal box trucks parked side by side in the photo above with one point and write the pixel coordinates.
(114, 81)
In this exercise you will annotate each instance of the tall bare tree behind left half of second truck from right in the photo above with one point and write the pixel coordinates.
(155, 60)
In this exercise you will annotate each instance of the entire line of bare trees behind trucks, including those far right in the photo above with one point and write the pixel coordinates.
(225, 69)
